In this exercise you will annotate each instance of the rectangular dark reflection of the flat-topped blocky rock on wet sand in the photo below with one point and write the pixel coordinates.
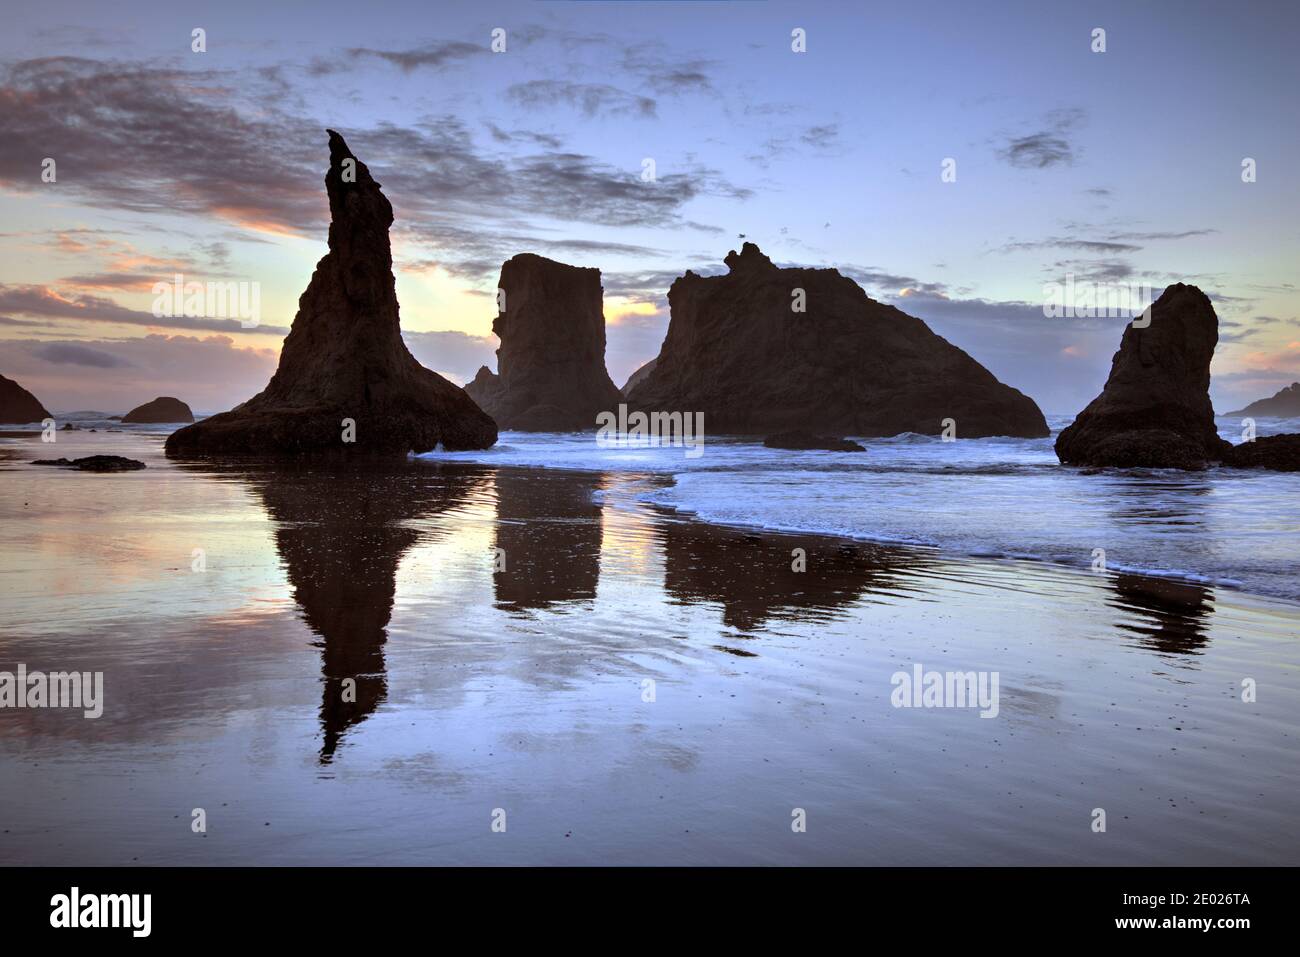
(551, 532)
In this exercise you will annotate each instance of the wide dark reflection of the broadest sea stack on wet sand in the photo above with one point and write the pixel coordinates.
(755, 577)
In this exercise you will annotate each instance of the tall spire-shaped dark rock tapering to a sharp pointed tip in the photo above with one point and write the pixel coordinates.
(345, 360)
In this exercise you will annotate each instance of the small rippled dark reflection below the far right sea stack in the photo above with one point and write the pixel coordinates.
(1175, 616)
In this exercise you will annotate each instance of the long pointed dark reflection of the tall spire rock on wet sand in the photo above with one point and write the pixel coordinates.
(341, 536)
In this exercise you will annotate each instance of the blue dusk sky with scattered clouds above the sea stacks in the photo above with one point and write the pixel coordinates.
(1117, 167)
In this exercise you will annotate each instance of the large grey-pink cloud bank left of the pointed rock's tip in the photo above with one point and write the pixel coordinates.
(158, 141)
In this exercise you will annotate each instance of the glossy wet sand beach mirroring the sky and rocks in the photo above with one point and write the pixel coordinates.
(525, 687)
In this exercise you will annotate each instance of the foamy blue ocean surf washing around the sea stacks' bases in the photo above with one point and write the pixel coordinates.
(989, 497)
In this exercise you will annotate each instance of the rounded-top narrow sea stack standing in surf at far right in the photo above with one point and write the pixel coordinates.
(1155, 410)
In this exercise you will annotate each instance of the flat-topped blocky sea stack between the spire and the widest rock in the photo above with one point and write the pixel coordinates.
(551, 365)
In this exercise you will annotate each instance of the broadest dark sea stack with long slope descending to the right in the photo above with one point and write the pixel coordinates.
(739, 353)
